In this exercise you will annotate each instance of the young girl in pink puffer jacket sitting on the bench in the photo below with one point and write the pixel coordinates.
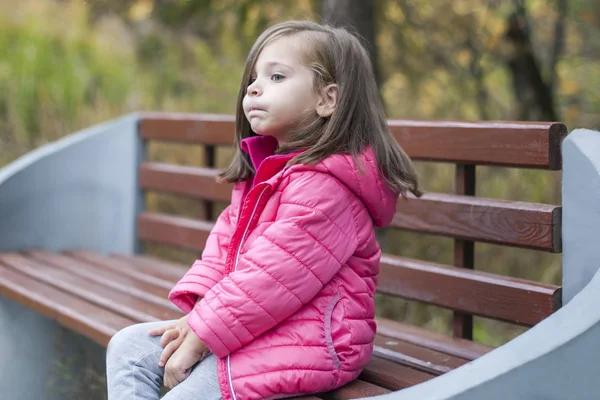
(281, 304)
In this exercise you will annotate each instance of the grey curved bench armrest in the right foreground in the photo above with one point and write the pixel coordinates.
(557, 358)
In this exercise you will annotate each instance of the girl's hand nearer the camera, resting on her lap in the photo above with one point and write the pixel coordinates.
(180, 364)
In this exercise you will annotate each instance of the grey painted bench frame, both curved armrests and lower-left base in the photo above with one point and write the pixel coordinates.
(83, 183)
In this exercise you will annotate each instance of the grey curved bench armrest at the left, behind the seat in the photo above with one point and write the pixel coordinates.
(79, 192)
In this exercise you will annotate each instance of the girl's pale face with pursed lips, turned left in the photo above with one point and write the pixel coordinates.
(281, 94)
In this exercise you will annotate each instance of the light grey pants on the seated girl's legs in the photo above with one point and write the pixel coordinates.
(133, 373)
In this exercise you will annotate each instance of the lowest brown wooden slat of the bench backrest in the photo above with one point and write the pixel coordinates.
(493, 296)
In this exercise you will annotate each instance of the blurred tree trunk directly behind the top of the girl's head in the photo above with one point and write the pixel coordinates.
(358, 17)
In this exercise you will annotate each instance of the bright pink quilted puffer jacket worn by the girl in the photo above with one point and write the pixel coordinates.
(288, 276)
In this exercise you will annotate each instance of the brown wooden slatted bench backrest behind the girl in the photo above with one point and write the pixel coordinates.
(462, 216)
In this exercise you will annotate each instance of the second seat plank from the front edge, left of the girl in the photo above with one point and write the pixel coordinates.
(119, 302)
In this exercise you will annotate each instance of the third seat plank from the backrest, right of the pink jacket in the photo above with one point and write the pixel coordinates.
(391, 375)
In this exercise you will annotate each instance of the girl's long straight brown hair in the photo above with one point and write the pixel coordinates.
(358, 122)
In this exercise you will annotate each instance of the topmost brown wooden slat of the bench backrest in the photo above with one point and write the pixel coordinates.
(535, 145)
